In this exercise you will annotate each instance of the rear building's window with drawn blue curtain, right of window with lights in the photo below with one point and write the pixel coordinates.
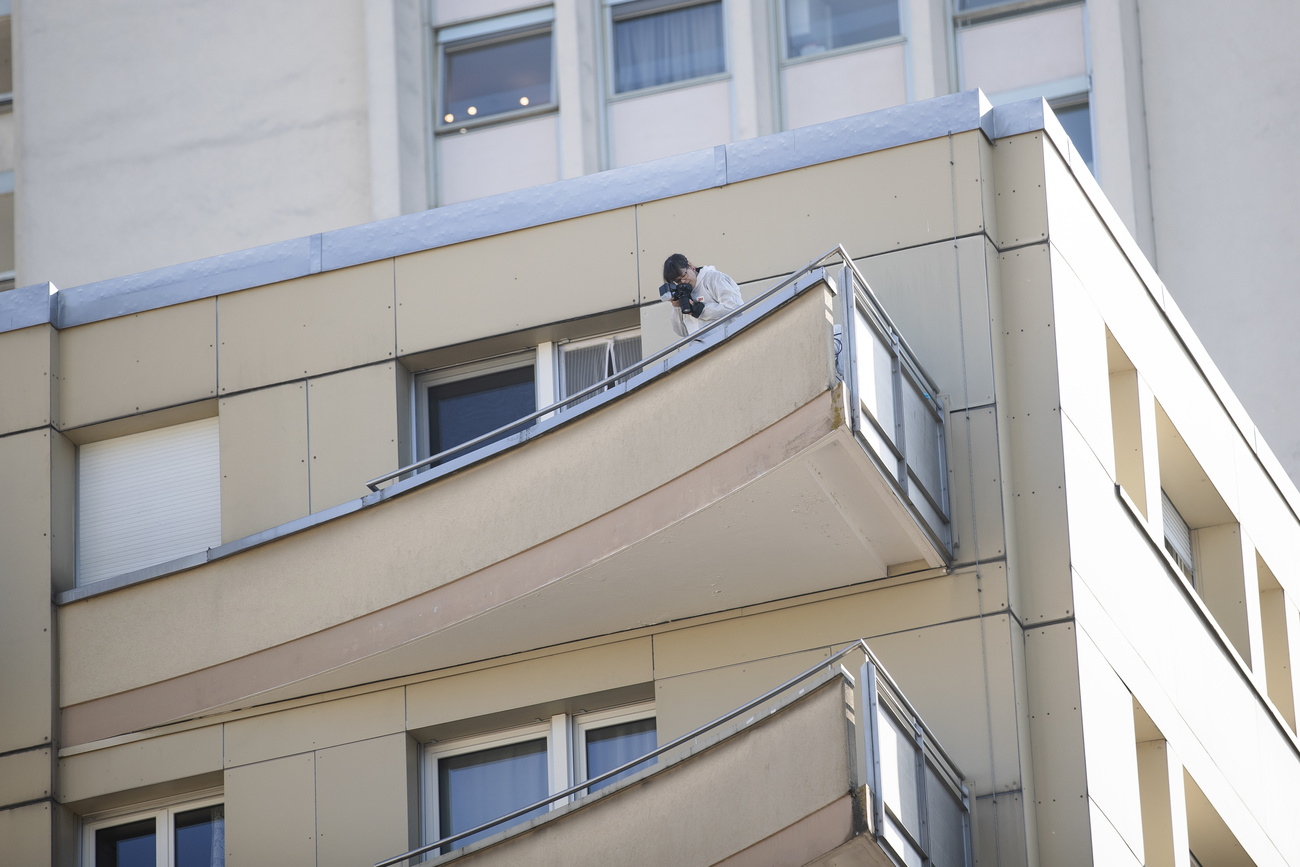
(660, 42)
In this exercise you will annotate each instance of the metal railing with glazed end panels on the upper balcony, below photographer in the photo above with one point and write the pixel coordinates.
(896, 414)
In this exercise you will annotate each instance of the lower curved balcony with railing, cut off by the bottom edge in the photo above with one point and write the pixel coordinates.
(870, 787)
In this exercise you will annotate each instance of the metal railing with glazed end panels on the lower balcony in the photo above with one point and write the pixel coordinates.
(920, 808)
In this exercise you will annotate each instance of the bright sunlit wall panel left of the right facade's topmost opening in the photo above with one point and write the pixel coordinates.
(1082, 370)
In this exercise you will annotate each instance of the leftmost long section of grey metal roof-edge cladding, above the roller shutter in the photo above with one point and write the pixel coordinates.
(185, 283)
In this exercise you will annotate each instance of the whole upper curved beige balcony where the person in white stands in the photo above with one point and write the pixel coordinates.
(795, 446)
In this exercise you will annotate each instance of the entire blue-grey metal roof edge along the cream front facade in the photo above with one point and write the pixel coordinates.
(508, 213)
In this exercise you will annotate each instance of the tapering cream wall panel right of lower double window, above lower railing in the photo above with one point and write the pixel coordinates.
(687, 703)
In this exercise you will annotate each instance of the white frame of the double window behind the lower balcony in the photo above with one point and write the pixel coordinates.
(566, 756)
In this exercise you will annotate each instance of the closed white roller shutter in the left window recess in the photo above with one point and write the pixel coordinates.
(148, 498)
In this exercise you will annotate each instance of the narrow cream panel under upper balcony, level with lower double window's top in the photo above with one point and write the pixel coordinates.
(314, 727)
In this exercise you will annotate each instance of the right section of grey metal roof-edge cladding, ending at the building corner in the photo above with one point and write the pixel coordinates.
(853, 136)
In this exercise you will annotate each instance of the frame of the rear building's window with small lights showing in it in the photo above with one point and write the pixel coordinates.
(487, 32)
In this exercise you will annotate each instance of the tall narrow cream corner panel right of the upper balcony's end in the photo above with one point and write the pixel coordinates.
(1034, 433)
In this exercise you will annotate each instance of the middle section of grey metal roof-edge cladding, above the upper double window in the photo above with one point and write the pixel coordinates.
(521, 210)
